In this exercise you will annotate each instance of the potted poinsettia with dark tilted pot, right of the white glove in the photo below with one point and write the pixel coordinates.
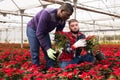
(93, 46)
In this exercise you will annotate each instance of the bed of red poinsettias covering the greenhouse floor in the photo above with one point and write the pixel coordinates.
(15, 64)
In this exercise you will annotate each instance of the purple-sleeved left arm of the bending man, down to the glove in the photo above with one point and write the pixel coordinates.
(42, 29)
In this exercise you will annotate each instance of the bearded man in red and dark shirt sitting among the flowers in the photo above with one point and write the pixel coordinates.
(72, 51)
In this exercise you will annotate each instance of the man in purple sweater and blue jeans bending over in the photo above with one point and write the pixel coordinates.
(38, 29)
